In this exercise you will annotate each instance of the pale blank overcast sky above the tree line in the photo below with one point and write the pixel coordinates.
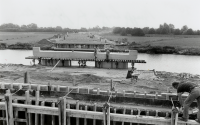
(90, 13)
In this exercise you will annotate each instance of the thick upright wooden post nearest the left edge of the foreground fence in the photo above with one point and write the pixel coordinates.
(9, 109)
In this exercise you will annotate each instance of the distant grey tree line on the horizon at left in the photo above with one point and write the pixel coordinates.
(9, 27)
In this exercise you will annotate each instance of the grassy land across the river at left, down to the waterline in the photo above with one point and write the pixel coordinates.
(22, 40)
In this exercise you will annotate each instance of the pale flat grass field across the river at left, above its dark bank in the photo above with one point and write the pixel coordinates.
(23, 37)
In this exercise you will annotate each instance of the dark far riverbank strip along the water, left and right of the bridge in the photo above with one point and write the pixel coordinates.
(140, 48)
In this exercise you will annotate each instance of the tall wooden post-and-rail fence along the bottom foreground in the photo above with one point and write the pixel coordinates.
(65, 114)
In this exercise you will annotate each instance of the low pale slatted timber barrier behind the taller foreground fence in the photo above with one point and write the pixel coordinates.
(98, 91)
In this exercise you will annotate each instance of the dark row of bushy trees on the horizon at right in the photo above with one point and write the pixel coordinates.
(163, 29)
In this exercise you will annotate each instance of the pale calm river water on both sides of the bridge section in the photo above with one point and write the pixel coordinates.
(159, 62)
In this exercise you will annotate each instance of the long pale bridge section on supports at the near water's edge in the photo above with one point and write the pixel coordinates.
(102, 59)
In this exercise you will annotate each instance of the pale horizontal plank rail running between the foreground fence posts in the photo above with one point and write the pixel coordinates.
(99, 115)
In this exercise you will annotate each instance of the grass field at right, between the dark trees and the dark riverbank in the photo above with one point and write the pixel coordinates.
(183, 41)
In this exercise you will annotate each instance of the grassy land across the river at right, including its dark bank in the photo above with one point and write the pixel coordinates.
(169, 44)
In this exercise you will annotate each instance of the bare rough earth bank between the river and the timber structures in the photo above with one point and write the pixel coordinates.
(94, 78)
